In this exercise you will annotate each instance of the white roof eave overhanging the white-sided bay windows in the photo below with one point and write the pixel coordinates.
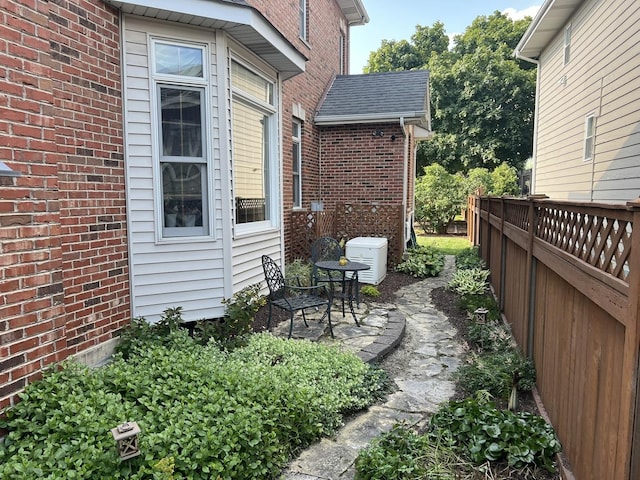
(244, 23)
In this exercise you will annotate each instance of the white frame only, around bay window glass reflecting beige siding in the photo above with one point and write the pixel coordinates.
(244, 229)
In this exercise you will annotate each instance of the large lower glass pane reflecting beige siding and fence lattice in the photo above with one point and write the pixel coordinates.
(250, 163)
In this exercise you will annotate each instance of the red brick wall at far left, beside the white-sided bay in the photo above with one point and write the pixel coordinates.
(63, 257)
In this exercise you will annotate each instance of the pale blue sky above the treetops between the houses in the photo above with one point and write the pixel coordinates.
(397, 20)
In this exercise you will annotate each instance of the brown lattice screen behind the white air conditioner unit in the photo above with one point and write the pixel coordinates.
(348, 221)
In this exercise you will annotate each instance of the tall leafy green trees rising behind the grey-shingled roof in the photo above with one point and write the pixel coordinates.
(482, 98)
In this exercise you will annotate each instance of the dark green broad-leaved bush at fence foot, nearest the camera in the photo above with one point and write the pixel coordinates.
(476, 429)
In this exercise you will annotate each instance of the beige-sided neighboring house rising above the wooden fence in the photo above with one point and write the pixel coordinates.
(587, 125)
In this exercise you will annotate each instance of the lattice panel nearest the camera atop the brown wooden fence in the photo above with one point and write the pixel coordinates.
(601, 239)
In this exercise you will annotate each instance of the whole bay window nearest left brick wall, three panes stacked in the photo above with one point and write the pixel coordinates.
(180, 92)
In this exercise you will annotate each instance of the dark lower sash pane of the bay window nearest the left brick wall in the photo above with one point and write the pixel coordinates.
(183, 193)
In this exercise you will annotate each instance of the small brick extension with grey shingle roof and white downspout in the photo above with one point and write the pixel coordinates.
(369, 126)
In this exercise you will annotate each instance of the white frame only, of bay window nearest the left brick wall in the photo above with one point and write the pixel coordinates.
(181, 82)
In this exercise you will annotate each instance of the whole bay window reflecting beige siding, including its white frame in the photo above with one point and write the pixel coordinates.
(253, 120)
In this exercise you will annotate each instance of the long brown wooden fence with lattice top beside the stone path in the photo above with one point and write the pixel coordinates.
(568, 284)
